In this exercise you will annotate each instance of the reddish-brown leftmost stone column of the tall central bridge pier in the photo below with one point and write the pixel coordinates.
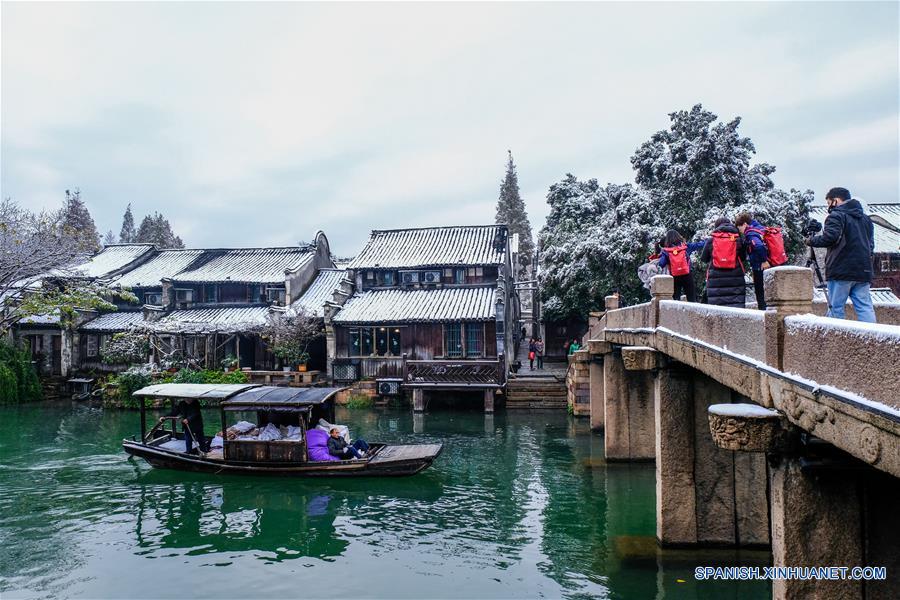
(676, 501)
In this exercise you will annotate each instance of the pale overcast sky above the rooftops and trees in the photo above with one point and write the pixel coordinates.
(254, 124)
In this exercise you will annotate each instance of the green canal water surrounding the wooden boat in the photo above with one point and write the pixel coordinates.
(519, 505)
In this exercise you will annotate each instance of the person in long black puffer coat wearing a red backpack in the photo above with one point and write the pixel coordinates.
(725, 277)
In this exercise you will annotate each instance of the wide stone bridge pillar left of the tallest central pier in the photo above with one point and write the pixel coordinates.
(629, 428)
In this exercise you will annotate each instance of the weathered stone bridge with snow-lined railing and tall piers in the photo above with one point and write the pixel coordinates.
(772, 428)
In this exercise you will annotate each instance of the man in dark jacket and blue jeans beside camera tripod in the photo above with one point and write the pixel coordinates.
(849, 236)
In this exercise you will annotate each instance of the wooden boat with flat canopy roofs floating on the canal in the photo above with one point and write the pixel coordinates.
(301, 407)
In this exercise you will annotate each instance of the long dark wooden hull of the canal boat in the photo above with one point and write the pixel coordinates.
(389, 461)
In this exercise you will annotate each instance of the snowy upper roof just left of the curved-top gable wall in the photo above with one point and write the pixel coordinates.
(245, 265)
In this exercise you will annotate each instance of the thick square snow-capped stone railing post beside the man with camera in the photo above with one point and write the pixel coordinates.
(788, 292)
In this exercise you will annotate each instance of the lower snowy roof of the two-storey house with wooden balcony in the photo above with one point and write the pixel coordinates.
(419, 306)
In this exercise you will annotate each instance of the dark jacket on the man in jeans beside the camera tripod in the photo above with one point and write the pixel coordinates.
(849, 236)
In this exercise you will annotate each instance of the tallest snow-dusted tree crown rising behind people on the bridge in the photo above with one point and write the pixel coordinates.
(698, 164)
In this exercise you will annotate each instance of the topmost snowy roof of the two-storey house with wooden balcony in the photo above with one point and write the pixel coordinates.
(433, 247)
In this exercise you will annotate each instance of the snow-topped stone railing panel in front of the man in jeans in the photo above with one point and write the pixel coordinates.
(860, 357)
